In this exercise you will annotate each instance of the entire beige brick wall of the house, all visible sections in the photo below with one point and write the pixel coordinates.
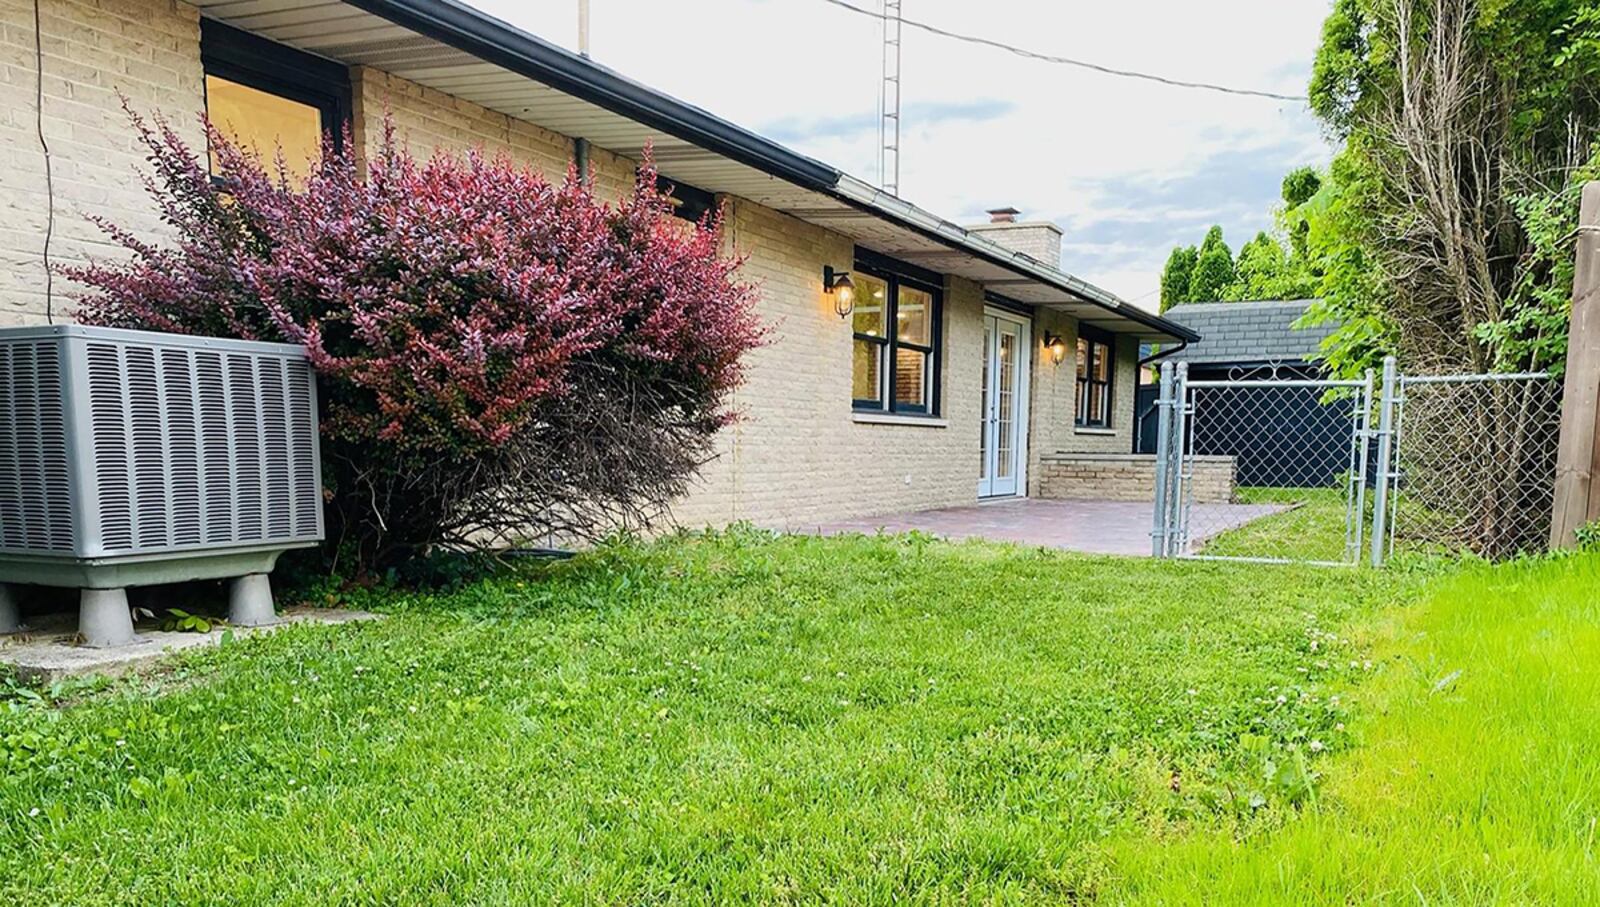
(798, 458)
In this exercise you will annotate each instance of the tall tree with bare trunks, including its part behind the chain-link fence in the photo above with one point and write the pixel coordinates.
(1468, 127)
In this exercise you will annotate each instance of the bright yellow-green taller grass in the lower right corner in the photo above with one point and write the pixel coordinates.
(1479, 777)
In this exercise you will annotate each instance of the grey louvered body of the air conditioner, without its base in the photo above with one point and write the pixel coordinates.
(135, 444)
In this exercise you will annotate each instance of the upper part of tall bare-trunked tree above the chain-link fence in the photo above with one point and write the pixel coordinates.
(1462, 121)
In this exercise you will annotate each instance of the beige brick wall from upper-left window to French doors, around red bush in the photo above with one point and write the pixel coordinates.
(798, 457)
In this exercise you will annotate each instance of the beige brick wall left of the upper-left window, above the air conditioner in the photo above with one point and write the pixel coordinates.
(150, 50)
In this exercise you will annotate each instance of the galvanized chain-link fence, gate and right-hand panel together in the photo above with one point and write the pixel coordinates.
(1286, 469)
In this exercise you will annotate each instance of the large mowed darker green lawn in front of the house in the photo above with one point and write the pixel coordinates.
(710, 719)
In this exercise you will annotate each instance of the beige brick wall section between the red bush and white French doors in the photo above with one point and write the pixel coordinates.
(801, 457)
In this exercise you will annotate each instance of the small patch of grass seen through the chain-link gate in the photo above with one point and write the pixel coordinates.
(1313, 530)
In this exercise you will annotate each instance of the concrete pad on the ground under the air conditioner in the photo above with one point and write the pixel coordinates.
(49, 650)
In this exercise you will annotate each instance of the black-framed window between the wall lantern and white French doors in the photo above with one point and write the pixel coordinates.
(895, 362)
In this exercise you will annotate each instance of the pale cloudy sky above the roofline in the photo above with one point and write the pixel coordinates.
(1126, 169)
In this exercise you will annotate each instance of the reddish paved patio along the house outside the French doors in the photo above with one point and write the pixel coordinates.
(1095, 527)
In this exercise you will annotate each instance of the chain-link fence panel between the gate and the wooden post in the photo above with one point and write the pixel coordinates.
(1476, 465)
